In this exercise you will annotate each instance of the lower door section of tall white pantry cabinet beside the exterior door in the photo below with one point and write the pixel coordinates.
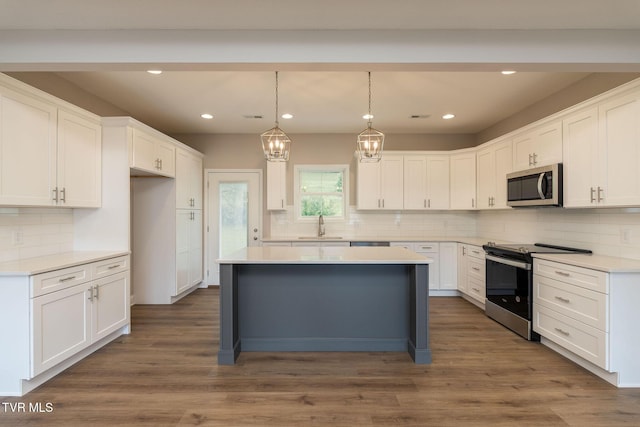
(189, 263)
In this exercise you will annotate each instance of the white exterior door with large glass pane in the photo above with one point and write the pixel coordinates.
(234, 218)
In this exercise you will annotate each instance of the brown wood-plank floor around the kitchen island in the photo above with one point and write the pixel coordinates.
(165, 374)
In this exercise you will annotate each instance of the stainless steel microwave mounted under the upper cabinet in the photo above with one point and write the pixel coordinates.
(535, 187)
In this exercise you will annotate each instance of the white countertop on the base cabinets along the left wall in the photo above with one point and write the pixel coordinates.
(37, 265)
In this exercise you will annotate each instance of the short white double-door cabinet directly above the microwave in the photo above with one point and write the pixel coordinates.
(539, 146)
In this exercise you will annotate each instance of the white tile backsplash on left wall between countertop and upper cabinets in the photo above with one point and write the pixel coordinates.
(33, 232)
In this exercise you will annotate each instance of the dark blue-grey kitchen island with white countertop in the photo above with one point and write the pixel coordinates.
(324, 299)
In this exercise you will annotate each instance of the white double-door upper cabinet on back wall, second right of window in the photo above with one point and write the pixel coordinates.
(426, 182)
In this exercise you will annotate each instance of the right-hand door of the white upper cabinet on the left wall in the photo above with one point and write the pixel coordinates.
(79, 161)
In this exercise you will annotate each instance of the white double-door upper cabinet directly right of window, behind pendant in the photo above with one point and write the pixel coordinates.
(380, 185)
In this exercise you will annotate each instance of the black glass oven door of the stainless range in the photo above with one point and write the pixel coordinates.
(509, 284)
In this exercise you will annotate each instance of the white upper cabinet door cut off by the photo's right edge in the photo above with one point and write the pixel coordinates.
(619, 151)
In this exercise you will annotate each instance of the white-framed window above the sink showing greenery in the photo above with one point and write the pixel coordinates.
(321, 190)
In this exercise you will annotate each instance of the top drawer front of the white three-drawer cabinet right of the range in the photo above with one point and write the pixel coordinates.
(583, 277)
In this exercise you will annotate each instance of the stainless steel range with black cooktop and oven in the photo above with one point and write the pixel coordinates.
(509, 280)
